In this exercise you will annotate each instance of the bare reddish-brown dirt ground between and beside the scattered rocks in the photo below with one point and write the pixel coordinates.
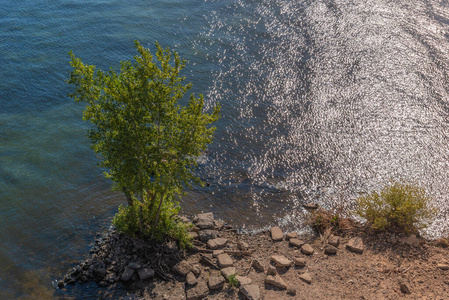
(386, 263)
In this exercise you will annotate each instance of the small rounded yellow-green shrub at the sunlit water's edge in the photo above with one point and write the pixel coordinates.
(398, 207)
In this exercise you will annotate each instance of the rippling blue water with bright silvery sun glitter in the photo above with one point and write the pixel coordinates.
(322, 100)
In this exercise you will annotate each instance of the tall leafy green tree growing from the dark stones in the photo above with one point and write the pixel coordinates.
(148, 142)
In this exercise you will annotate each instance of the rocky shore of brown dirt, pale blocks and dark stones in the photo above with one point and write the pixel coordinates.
(268, 265)
